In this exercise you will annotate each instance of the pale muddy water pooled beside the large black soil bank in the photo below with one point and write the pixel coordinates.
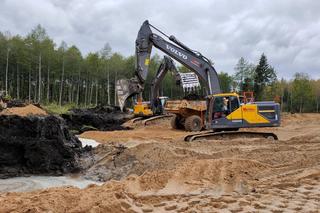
(25, 184)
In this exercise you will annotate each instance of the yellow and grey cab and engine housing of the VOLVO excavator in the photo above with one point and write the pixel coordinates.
(226, 112)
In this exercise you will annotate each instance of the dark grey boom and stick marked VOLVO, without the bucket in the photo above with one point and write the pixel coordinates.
(193, 60)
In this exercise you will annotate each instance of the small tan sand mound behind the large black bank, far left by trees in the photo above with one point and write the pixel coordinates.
(24, 111)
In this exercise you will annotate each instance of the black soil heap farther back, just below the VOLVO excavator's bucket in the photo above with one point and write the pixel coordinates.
(105, 118)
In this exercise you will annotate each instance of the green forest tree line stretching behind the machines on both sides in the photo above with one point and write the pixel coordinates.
(34, 68)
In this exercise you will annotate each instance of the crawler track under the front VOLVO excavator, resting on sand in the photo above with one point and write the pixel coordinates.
(230, 135)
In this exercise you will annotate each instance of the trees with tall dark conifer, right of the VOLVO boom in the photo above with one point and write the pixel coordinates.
(300, 94)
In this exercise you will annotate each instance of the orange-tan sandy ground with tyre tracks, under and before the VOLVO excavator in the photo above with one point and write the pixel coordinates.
(155, 171)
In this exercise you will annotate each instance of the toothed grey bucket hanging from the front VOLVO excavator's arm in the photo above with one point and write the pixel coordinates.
(126, 88)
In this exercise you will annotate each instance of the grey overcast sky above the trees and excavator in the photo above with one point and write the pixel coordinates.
(287, 31)
